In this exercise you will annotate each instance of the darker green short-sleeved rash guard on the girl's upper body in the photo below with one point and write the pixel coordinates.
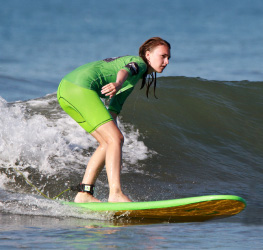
(95, 75)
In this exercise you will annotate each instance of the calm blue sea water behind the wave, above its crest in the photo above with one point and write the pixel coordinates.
(41, 41)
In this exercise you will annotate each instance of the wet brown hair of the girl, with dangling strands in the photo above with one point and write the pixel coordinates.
(148, 46)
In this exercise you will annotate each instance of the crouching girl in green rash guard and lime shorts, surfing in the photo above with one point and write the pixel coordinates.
(79, 95)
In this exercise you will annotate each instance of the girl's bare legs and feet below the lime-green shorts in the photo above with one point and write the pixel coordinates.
(110, 149)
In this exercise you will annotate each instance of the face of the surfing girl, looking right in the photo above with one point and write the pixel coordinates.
(158, 58)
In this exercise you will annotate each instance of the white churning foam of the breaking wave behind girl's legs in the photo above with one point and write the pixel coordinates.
(30, 139)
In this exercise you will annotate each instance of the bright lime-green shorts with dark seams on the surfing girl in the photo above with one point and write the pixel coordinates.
(83, 105)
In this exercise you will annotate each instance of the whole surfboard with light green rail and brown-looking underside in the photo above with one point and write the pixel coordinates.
(193, 209)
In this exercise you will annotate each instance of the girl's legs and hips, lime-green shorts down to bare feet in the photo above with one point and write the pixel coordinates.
(86, 108)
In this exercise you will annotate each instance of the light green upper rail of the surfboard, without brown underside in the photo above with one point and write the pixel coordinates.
(121, 206)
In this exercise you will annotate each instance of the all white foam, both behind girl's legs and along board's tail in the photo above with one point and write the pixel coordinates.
(51, 146)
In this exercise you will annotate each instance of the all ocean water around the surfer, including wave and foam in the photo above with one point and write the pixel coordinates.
(202, 136)
